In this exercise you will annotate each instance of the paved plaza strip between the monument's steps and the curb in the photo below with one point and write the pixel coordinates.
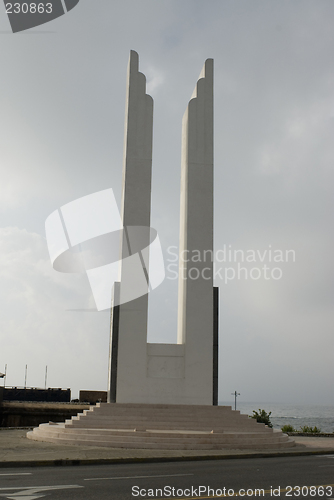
(18, 451)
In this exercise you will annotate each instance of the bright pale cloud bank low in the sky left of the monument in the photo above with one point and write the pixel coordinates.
(36, 326)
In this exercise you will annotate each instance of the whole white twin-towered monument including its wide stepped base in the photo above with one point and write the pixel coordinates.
(166, 394)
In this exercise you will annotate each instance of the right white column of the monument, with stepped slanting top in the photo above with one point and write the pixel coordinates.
(195, 308)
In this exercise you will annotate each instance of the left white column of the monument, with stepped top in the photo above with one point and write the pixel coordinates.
(136, 208)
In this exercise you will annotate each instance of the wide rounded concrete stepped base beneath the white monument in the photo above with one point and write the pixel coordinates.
(164, 427)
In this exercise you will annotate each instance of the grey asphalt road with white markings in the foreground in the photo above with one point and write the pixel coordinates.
(131, 481)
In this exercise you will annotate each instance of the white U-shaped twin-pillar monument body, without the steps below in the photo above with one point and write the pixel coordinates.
(181, 373)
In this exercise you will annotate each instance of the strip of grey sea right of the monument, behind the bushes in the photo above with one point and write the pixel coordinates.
(289, 414)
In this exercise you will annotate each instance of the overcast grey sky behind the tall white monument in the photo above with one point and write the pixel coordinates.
(62, 93)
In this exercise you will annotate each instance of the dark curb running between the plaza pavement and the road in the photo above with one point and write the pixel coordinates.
(109, 461)
